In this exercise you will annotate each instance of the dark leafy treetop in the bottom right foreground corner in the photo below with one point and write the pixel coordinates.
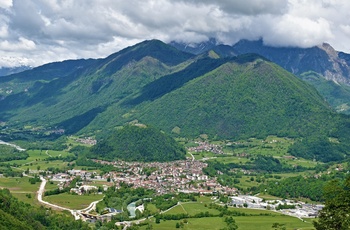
(335, 214)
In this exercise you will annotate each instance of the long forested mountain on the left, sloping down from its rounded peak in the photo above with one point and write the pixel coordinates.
(73, 100)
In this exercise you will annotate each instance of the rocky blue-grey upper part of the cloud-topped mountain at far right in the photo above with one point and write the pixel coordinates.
(321, 59)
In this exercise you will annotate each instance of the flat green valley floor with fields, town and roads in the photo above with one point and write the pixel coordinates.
(201, 192)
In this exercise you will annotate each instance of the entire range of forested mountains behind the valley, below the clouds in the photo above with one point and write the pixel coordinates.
(223, 92)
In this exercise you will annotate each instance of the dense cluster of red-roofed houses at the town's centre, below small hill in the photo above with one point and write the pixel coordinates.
(177, 176)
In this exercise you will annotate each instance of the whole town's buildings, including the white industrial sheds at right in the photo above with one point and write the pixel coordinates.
(183, 176)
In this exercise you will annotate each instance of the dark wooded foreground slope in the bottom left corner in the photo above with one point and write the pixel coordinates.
(16, 214)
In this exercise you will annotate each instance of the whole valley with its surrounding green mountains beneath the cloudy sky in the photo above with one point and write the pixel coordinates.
(152, 137)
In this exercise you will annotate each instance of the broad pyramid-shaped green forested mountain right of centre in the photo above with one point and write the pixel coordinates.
(241, 99)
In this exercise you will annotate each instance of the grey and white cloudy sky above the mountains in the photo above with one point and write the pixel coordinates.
(34, 32)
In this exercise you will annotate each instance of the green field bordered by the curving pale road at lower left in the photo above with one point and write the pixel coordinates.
(73, 201)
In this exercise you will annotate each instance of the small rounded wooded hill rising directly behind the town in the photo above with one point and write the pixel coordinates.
(133, 143)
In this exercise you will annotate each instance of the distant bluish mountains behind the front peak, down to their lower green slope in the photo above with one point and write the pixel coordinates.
(331, 67)
